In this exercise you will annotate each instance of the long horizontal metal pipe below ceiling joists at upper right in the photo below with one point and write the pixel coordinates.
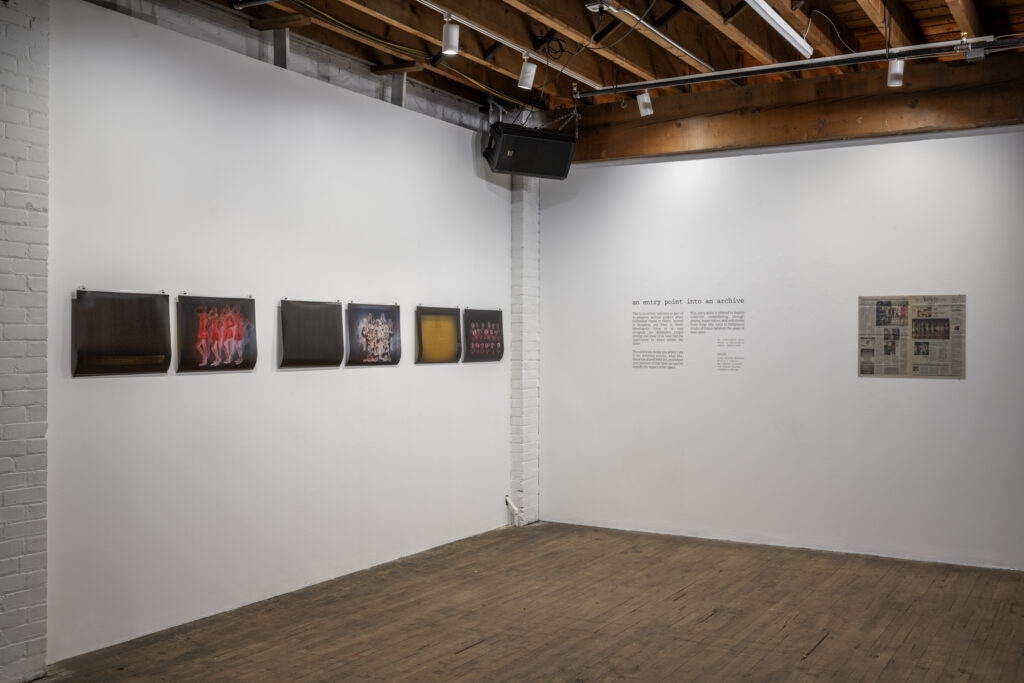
(972, 49)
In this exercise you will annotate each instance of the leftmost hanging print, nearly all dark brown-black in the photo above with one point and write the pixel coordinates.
(118, 333)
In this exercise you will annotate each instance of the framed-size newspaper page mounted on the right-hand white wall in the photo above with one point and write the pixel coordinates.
(913, 336)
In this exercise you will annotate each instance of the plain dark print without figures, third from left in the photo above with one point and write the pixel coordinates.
(312, 334)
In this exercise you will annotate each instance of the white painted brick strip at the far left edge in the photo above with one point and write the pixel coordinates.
(24, 205)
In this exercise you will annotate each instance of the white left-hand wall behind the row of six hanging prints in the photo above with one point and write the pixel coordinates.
(180, 166)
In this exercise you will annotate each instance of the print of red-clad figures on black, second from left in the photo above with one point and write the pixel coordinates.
(217, 333)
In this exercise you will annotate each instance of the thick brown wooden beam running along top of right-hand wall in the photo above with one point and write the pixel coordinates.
(937, 97)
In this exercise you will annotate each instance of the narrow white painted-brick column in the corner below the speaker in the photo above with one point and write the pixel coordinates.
(525, 348)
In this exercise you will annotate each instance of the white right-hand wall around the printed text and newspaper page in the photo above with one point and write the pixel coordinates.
(794, 449)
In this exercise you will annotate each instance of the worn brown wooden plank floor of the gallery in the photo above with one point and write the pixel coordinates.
(554, 603)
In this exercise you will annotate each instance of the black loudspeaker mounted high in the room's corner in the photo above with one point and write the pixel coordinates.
(534, 152)
